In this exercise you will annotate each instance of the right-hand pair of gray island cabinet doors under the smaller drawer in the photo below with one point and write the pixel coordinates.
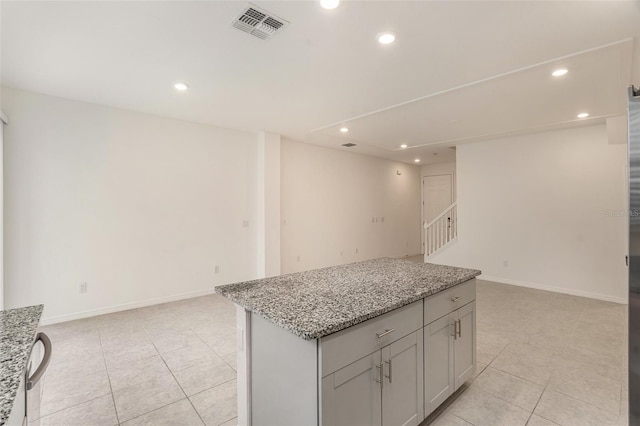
(450, 358)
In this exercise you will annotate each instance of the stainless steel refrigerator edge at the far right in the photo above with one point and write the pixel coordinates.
(634, 256)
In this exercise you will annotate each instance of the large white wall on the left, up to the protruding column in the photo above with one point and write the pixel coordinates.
(139, 207)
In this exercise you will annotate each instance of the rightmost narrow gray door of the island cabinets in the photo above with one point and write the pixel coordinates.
(465, 344)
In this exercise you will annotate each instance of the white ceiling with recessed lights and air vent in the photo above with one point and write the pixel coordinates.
(458, 72)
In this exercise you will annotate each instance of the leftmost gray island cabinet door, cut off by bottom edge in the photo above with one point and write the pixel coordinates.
(351, 396)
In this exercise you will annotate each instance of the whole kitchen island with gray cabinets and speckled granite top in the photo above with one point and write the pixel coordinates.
(377, 342)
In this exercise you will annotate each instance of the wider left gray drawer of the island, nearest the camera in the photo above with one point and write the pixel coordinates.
(344, 347)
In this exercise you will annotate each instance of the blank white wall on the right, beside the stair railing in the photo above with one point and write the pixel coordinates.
(545, 210)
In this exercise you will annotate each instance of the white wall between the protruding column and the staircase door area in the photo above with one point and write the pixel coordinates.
(338, 207)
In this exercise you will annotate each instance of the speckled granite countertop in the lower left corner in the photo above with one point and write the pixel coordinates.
(18, 329)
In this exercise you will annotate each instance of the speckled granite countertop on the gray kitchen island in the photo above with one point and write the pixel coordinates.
(317, 303)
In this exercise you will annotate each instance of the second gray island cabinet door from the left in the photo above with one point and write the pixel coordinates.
(402, 391)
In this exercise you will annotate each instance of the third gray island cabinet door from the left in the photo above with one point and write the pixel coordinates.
(438, 362)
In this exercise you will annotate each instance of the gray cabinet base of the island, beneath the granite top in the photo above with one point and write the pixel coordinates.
(393, 369)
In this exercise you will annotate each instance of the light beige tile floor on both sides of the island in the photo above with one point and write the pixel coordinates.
(543, 359)
